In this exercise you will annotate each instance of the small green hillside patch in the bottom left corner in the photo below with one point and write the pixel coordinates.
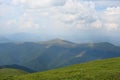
(7, 73)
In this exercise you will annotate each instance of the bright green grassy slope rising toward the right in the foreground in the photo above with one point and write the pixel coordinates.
(108, 69)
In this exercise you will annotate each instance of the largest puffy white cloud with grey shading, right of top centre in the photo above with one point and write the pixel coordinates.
(74, 12)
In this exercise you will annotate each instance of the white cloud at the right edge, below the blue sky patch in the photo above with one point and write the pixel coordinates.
(111, 18)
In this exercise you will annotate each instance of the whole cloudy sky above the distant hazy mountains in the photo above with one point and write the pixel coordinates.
(78, 20)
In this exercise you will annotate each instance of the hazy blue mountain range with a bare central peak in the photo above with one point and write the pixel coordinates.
(54, 53)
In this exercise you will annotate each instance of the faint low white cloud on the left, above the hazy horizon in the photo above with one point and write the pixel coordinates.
(21, 25)
